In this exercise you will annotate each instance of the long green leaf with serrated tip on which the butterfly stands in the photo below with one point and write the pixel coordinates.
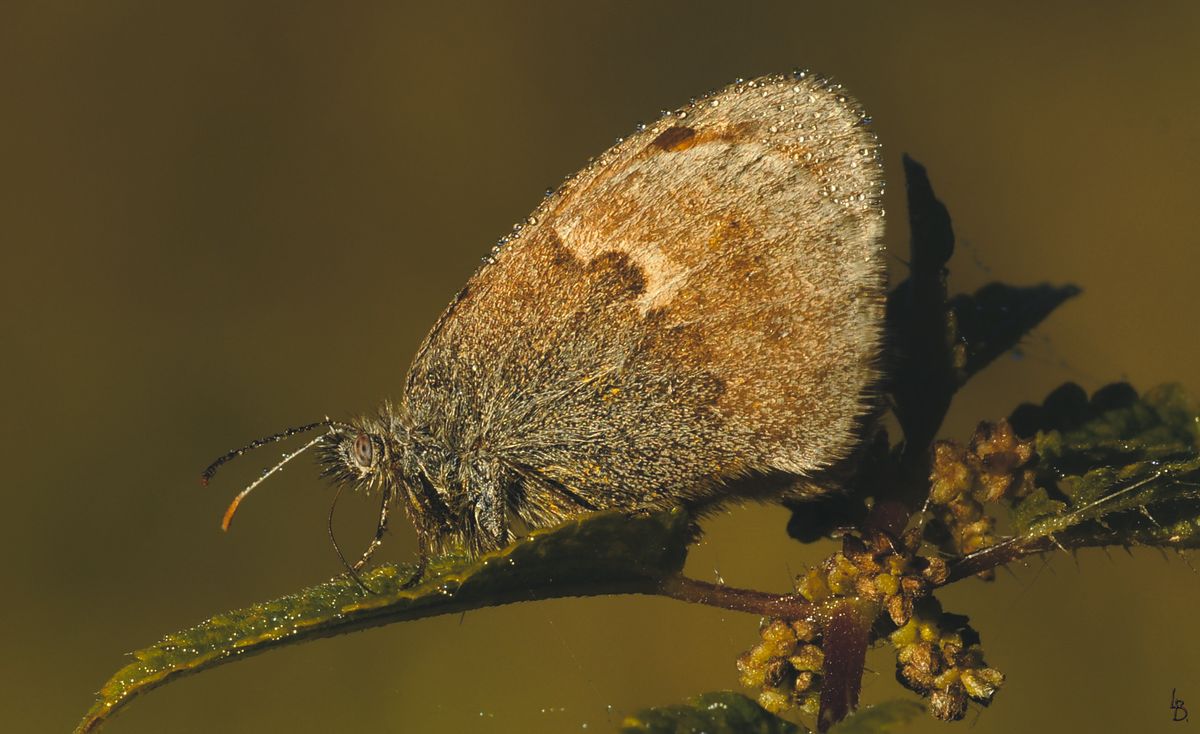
(602, 553)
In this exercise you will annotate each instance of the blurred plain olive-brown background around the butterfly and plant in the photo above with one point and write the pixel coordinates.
(224, 219)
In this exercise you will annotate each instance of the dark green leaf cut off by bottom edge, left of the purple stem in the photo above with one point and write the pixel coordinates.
(721, 713)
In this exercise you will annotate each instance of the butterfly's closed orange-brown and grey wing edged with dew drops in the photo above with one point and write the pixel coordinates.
(704, 302)
